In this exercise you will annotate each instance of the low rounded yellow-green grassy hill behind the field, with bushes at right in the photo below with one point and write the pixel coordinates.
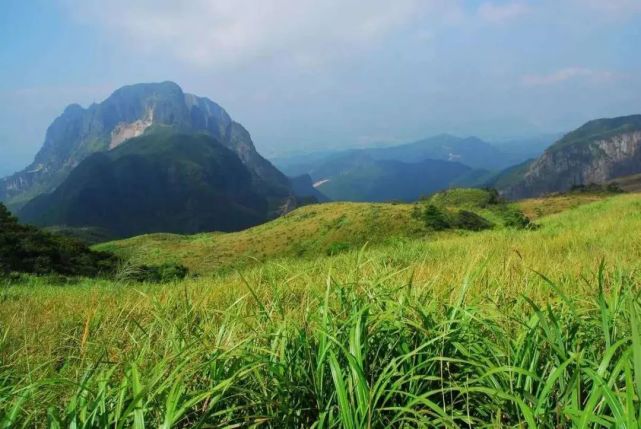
(306, 232)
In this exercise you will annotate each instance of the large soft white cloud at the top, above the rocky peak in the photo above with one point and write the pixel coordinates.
(230, 33)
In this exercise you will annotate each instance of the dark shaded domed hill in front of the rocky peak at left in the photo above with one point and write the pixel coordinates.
(162, 181)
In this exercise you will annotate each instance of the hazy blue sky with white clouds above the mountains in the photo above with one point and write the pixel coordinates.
(309, 75)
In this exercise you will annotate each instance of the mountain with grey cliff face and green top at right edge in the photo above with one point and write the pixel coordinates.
(597, 152)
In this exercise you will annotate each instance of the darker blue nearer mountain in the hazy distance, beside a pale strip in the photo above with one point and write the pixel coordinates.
(357, 176)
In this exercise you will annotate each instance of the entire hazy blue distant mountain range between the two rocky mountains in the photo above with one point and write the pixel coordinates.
(409, 171)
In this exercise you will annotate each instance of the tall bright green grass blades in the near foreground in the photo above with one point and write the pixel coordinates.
(367, 353)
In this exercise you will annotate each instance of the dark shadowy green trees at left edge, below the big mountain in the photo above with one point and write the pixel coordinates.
(25, 248)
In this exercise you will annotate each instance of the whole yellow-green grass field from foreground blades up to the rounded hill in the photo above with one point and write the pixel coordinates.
(500, 328)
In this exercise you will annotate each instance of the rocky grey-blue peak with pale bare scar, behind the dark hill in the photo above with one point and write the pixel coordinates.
(130, 112)
